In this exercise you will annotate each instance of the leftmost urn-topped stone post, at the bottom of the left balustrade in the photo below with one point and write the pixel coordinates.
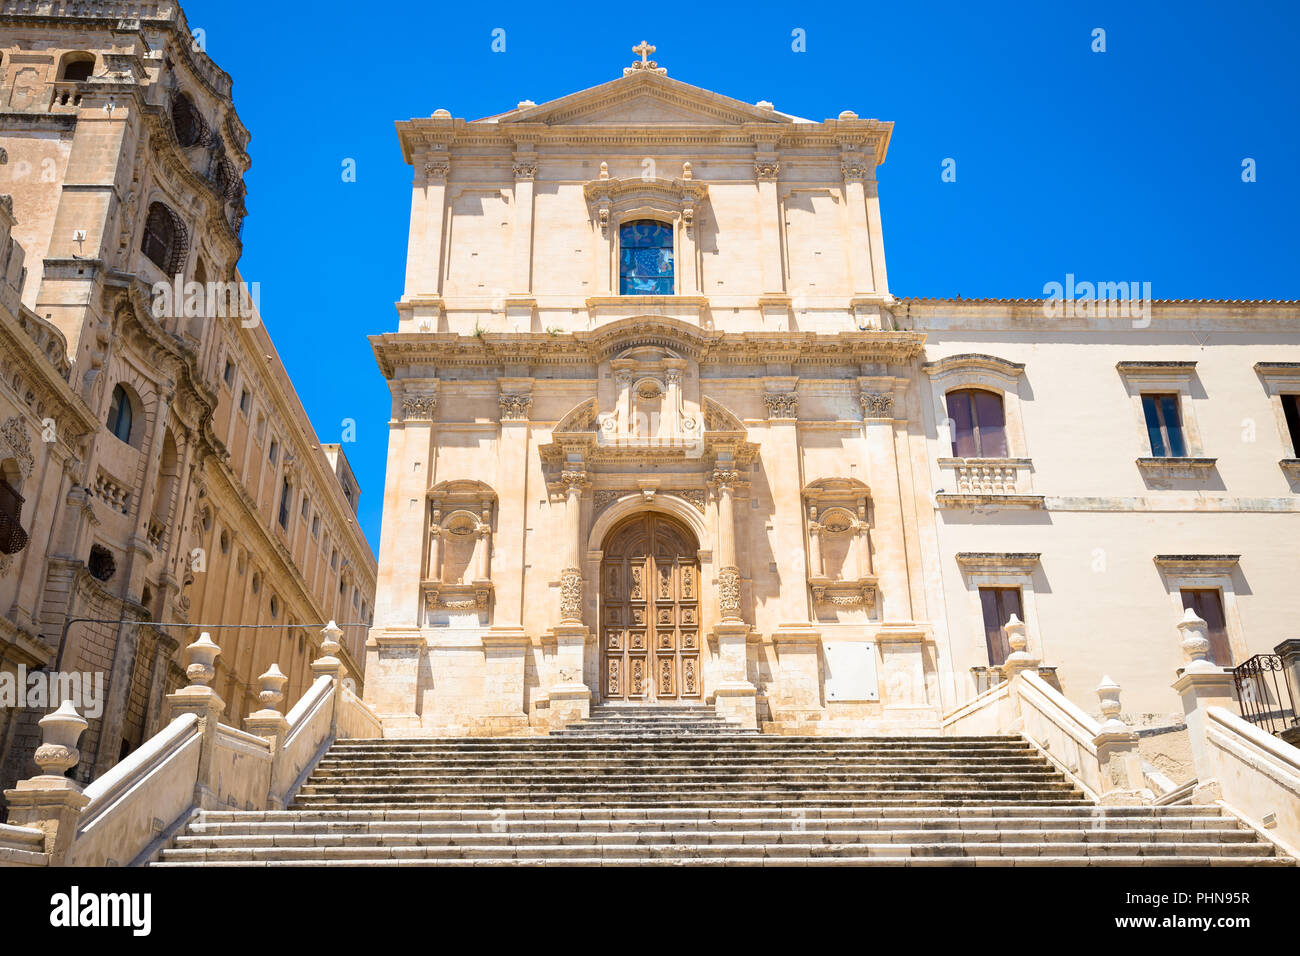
(53, 802)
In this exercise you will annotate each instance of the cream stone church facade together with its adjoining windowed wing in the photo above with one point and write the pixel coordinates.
(661, 434)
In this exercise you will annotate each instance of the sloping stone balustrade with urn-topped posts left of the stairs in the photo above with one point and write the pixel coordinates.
(194, 763)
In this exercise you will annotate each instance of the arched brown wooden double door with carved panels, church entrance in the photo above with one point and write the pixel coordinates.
(651, 612)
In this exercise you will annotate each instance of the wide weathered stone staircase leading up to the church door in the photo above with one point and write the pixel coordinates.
(677, 785)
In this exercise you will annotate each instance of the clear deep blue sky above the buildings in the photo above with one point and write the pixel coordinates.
(1117, 166)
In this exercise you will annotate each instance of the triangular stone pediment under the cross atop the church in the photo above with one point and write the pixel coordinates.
(644, 100)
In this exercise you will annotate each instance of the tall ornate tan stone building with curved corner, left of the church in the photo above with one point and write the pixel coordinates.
(158, 465)
